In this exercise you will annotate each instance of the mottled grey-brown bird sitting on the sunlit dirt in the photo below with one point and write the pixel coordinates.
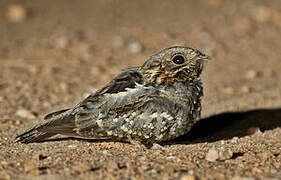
(144, 105)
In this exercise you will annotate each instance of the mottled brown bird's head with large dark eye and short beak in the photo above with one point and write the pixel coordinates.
(174, 64)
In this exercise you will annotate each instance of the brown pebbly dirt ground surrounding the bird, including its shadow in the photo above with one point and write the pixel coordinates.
(54, 53)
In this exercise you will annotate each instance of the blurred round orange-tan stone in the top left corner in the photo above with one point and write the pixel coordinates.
(16, 13)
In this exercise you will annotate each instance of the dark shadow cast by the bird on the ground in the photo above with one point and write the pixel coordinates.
(218, 127)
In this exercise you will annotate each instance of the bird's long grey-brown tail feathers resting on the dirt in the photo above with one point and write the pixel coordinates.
(60, 122)
